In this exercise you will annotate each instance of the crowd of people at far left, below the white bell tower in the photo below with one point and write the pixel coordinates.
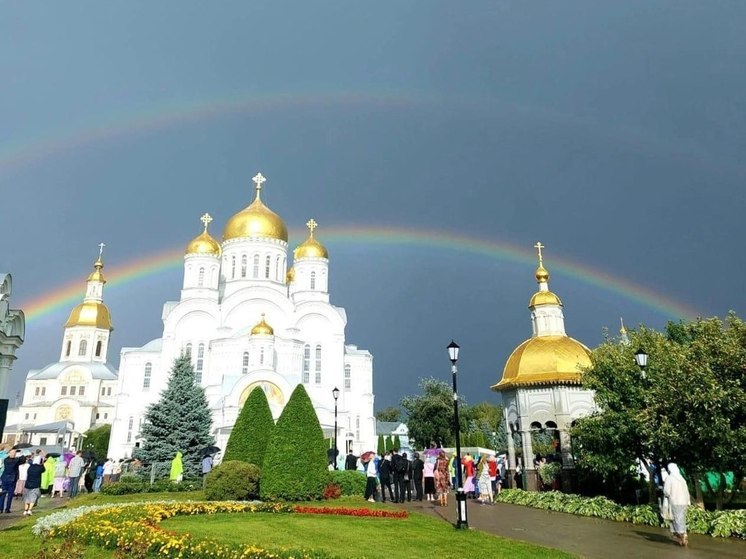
(28, 475)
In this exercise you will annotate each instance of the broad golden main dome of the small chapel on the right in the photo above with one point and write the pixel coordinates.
(545, 360)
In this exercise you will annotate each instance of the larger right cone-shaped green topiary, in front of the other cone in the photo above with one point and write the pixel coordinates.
(294, 466)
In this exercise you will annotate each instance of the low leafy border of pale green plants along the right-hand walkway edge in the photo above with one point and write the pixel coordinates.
(718, 524)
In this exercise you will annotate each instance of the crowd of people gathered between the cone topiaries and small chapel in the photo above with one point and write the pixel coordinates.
(428, 476)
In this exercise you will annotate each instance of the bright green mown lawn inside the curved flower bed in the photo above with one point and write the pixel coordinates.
(357, 537)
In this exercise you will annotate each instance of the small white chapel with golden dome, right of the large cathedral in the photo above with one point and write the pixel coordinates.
(541, 384)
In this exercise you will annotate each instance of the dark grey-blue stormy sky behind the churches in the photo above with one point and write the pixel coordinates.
(614, 132)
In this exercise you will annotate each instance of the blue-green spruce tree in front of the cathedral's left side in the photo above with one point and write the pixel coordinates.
(179, 421)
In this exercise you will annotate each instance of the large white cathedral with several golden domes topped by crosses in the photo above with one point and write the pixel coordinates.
(250, 318)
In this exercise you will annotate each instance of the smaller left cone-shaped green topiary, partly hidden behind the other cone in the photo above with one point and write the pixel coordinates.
(253, 428)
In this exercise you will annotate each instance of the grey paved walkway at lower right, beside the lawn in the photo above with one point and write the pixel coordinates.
(589, 538)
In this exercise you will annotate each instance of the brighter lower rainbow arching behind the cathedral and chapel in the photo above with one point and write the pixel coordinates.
(118, 277)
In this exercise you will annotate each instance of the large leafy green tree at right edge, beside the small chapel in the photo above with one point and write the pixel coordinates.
(689, 406)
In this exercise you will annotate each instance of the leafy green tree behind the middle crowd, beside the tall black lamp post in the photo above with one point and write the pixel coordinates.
(430, 414)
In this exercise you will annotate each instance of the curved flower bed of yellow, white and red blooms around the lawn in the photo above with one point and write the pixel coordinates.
(133, 528)
